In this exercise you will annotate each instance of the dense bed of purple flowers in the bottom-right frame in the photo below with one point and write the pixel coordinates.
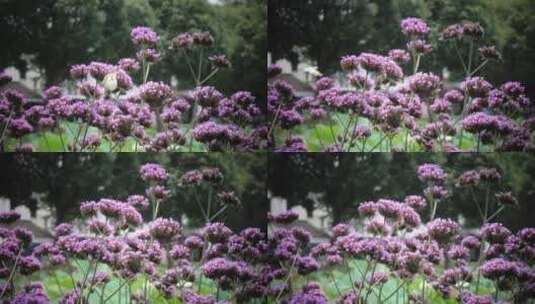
(398, 253)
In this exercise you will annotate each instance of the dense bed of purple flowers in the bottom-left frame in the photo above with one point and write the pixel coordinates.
(117, 253)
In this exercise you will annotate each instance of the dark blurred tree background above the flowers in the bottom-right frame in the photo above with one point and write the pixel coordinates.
(326, 188)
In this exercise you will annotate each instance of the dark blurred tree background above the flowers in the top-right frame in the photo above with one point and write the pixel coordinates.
(310, 35)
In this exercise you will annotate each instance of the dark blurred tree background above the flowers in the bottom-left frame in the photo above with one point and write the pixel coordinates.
(47, 188)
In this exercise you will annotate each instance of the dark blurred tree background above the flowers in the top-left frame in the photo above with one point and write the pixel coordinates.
(41, 39)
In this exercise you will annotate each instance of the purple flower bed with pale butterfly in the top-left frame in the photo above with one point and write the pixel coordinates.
(112, 108)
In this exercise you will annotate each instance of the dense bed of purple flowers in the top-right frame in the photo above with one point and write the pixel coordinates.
(389, 107)
